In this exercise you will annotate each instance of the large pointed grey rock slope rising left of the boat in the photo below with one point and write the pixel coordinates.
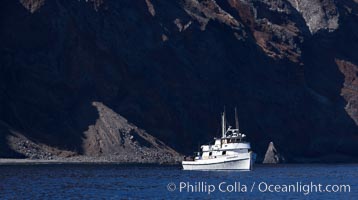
(112, 135)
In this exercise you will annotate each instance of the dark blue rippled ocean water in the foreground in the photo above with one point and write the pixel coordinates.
(151, 182)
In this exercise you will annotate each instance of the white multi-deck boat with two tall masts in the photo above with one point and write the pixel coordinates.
(230, 152)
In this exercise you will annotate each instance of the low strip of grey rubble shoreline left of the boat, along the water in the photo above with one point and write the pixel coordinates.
(38, 153)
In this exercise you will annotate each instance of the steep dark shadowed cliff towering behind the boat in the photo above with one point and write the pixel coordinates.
(171, 66)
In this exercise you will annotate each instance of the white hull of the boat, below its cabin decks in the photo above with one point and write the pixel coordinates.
(243, 161)
